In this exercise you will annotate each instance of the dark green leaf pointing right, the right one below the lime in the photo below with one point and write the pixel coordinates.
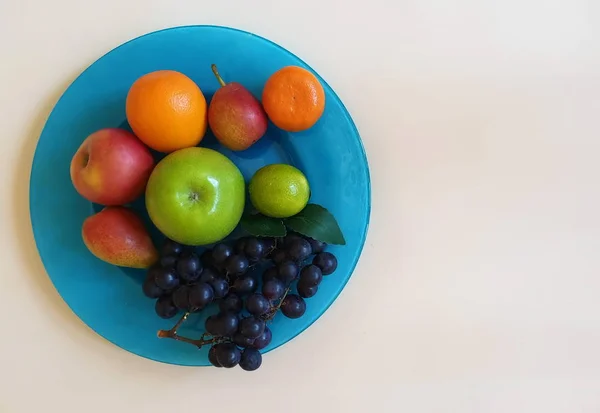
(317, 222)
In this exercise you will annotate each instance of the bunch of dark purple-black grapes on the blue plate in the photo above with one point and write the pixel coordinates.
(292, 270)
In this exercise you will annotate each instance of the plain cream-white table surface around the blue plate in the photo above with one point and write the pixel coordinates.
(478, 287)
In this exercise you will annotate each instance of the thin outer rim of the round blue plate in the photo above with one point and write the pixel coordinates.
(259, 37)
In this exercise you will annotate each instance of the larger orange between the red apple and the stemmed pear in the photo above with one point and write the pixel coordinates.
(166, 110)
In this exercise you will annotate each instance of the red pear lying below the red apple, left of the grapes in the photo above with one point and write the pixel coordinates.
(118, 236)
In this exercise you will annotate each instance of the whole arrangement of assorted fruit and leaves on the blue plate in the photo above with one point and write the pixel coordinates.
(196, 197)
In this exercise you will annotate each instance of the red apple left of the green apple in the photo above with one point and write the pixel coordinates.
(111, 167)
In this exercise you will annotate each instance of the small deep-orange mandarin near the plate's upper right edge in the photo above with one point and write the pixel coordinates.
(293, 99)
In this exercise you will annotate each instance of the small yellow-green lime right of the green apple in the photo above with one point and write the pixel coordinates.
(279, 190)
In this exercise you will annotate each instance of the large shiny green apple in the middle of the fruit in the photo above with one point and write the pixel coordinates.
(195, 196)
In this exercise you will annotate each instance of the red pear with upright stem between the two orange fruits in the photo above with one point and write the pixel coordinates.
(235, 116)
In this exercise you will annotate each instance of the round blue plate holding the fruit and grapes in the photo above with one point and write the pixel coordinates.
(108, 298)
